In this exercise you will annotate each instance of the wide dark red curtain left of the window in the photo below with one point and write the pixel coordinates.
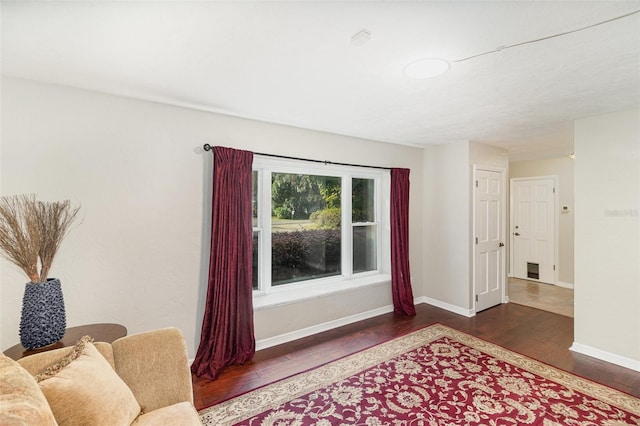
(227, 328)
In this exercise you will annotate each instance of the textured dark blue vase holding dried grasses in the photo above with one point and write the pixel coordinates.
(43, 320)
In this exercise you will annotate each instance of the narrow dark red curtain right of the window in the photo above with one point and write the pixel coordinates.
(400, 273)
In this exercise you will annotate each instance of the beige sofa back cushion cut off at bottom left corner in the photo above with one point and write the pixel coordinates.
(21, 400)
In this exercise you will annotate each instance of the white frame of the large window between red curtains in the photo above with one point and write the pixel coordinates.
(267, 295)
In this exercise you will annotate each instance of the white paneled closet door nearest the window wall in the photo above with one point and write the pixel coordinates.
(489, 211)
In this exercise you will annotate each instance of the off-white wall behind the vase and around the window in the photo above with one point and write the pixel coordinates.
(140, 255)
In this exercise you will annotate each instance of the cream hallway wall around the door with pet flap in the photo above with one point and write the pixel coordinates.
(563, 167)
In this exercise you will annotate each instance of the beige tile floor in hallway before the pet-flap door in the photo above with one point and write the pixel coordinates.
(547, 297)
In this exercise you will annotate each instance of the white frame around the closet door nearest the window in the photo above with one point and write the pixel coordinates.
(503, 231)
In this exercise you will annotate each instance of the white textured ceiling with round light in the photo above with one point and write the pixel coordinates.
(293, 63)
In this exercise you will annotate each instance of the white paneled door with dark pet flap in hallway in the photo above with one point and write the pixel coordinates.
(533, 229)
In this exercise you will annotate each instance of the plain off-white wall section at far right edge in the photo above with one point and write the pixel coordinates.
(607, 237)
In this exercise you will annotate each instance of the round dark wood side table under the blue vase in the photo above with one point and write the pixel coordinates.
(100, 333)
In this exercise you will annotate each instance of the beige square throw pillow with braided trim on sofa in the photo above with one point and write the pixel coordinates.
(83, 389)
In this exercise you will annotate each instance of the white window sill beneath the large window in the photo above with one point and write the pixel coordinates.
(279, 297)
